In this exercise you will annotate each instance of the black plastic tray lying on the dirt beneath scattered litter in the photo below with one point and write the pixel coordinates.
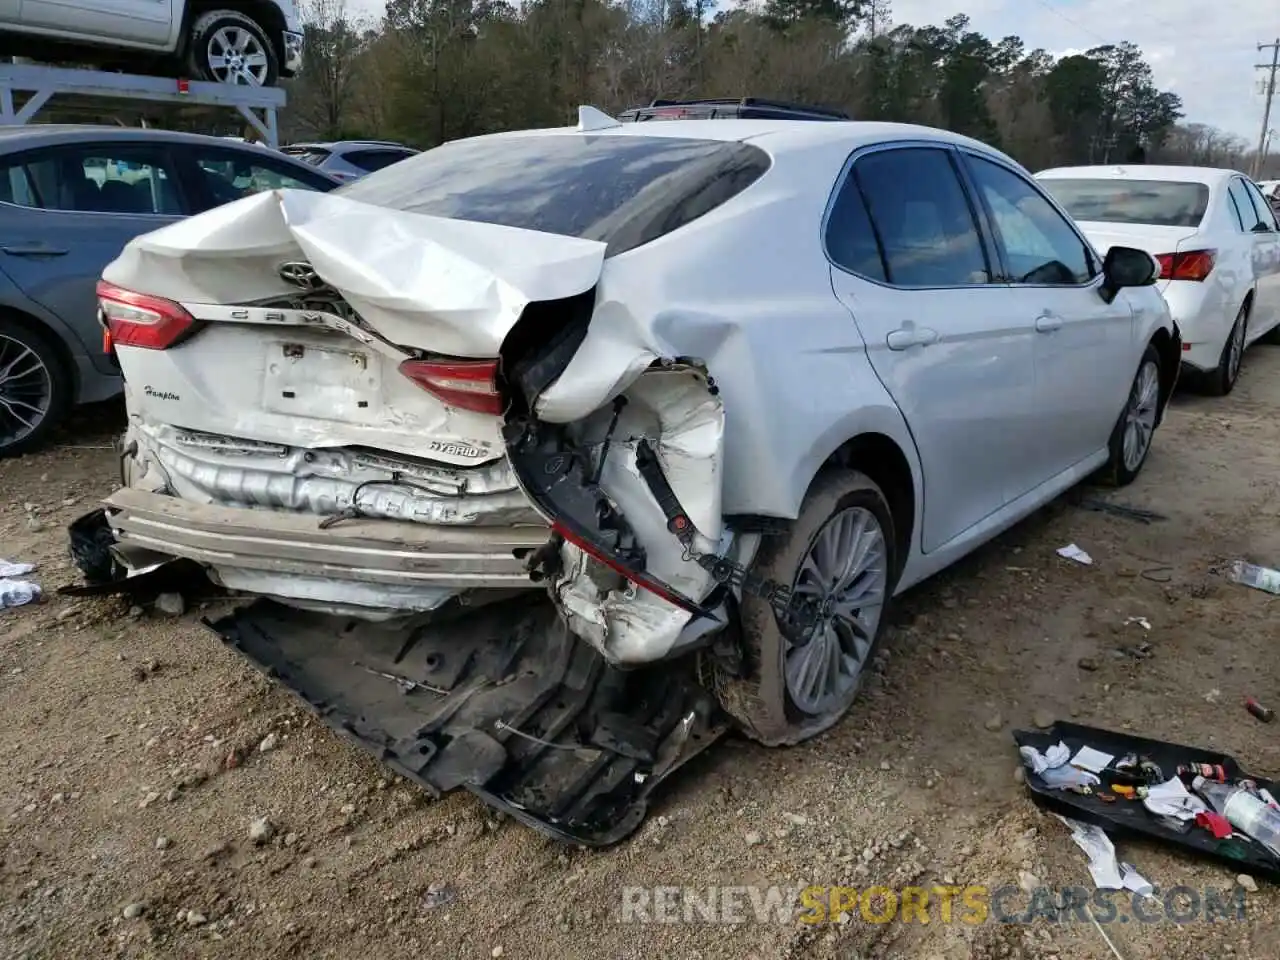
(1131, 816)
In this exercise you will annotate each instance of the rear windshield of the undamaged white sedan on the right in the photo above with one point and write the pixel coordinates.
(1156, 203)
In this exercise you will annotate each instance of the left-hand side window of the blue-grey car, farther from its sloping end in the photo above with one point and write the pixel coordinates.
(94, 180)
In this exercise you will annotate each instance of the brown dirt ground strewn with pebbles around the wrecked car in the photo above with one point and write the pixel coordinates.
(117, 725)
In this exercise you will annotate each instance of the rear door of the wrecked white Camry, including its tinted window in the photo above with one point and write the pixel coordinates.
(915, 269)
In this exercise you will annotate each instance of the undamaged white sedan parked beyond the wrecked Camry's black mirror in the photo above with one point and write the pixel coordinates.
(1218, 243)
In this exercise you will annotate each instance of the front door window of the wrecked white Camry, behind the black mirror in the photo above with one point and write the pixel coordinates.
(1039, 243)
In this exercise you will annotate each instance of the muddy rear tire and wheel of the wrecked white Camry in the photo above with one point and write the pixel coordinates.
(792, 689)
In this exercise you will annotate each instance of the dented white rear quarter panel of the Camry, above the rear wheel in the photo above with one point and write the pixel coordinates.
(747, 289)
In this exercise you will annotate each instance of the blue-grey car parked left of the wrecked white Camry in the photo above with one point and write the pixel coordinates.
(71, 198)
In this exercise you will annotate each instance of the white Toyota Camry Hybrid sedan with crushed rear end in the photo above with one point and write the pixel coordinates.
(721, 387)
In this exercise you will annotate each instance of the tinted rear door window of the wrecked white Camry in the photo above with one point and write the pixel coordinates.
(922, 221)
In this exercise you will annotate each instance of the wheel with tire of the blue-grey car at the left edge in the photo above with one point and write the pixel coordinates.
(35, 388)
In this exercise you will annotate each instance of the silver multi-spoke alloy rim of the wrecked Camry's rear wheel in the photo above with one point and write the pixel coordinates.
(847, 573)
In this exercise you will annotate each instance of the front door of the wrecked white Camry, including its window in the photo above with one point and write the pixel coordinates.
(1085, 353)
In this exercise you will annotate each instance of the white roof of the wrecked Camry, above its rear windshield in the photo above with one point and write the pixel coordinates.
(778, 136)
